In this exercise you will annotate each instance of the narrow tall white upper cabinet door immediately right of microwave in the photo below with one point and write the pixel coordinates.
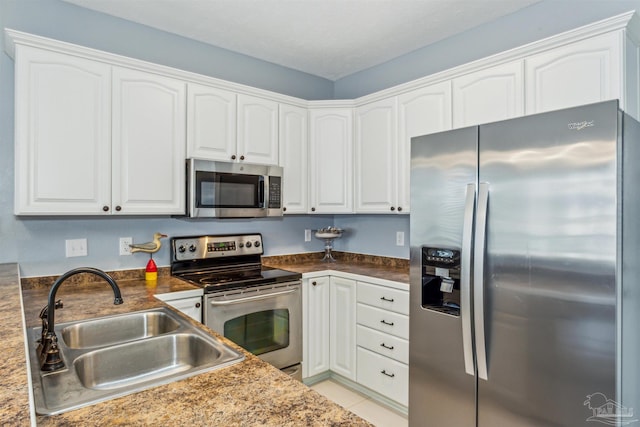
(294, 158)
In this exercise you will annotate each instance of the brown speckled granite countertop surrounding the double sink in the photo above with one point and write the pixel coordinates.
(249, 393)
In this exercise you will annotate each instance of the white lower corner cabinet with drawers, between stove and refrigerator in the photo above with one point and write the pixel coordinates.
(359, 331)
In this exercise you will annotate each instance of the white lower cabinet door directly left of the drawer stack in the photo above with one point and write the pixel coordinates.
(343, 327)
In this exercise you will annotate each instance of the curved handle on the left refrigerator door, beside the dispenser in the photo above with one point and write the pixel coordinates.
(465, 278)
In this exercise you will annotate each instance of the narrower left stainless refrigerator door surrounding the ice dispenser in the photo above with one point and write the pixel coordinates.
(441, 394)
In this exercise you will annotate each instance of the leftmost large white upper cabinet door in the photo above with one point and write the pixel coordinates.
(63, 134)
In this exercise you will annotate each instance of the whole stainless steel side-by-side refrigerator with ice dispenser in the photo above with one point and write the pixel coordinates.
(525, 272)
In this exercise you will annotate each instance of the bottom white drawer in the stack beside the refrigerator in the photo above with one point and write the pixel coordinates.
(384, 375)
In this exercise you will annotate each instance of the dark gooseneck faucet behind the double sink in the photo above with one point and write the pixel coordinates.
(48, 349)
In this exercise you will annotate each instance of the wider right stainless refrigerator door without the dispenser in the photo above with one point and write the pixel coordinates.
(550, 266)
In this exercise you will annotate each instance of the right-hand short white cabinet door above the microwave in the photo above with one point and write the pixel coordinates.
(257, 130)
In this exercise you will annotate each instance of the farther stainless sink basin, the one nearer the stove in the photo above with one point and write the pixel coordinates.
(118, 329)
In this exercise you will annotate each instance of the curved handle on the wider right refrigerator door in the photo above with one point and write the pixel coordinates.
(478, 278)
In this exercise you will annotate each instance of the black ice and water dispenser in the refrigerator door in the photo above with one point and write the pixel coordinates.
(441, 280)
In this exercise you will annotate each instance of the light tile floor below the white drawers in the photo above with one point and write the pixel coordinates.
(376, 414)
